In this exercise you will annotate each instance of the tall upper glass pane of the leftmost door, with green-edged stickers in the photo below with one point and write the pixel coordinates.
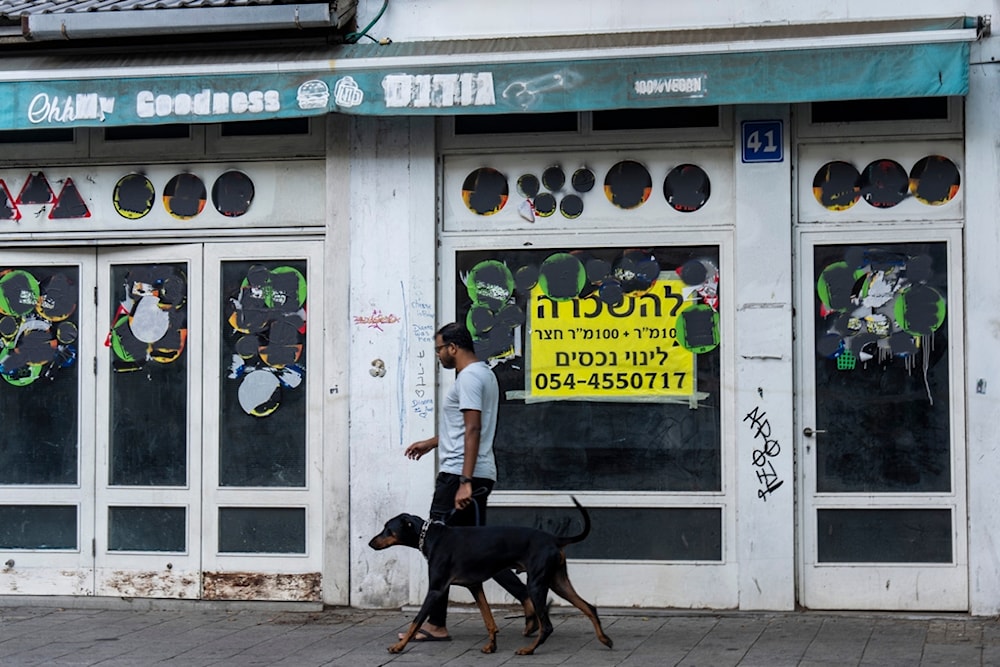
(39, 390)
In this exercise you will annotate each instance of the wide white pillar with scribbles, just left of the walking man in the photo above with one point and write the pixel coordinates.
(392, 363)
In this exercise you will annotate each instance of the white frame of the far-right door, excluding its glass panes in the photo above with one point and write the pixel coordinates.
(881, 586)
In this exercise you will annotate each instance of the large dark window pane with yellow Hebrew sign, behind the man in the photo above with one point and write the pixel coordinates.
(624, 417)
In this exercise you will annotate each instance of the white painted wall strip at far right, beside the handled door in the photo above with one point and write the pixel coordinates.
(982, 299)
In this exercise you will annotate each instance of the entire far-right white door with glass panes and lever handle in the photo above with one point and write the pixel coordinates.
(881, 451)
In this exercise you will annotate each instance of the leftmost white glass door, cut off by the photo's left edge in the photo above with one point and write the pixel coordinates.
(46, 455)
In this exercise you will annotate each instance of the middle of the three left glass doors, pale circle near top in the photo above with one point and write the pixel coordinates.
(148, 499)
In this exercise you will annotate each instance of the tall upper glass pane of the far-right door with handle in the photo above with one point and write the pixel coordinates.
(882, 369)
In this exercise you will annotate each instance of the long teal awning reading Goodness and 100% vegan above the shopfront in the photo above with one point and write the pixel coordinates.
(361, 82)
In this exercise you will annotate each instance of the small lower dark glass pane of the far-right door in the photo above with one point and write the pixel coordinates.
(884, 536)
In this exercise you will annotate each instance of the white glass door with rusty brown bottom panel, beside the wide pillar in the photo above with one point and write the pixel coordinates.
(263, 537)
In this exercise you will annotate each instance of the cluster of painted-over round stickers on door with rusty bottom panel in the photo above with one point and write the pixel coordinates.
(267, 320)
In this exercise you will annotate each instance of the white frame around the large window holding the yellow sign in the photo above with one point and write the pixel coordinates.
(634, 582)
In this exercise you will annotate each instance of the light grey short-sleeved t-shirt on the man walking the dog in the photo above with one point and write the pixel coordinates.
(475, 388)
